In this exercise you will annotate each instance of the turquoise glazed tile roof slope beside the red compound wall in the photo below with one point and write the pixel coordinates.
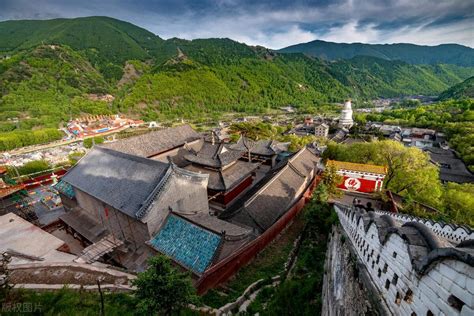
(188, 244)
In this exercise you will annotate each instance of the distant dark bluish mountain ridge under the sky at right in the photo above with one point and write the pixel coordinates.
(410, 53)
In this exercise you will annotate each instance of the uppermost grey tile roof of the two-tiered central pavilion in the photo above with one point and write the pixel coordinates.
(214, 155)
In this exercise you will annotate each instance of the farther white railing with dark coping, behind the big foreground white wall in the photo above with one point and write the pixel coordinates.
(452, 233)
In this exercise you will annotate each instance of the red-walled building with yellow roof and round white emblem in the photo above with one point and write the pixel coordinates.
(363, 178)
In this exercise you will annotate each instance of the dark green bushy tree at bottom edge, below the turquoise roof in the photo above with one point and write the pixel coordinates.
(162, 289)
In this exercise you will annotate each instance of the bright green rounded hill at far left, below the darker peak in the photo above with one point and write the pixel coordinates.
(44, 85)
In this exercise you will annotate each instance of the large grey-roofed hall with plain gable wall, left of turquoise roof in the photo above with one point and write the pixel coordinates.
(116, 196)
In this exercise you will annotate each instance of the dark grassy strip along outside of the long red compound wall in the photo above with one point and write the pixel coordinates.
(269, 263)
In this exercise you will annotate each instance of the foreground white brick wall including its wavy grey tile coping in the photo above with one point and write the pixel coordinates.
(414, 271)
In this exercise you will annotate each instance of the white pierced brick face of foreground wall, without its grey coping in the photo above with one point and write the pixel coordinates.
(389, 264)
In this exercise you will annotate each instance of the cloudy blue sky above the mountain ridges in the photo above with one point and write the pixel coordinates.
(275, 23)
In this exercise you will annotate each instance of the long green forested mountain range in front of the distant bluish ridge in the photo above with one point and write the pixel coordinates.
(50, 71)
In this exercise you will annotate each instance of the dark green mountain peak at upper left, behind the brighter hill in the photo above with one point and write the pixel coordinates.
(107, 42)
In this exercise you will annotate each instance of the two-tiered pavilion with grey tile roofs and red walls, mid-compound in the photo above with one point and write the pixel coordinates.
(228, 175)
